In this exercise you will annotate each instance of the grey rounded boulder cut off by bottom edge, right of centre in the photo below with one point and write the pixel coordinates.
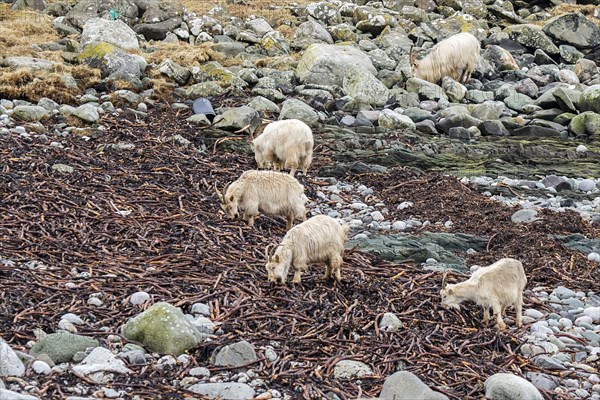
(405, 385)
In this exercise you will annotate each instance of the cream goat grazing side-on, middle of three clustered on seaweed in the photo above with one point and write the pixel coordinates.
(267, 192)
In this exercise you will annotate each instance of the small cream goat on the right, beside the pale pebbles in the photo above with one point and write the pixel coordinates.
(497, 286)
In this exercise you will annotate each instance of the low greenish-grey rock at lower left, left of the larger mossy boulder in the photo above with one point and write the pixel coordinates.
(61, 346)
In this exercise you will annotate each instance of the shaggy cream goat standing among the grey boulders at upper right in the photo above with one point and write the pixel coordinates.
(455, 57)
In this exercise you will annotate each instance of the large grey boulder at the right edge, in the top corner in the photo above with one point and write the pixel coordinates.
(575, 29)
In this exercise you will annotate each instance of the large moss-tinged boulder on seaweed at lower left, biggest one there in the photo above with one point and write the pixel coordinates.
(163, 329)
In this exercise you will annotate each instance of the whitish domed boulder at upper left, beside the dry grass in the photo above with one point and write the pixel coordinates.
(114, 32)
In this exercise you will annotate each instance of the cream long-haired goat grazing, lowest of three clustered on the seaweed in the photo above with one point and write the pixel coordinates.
(320, 239)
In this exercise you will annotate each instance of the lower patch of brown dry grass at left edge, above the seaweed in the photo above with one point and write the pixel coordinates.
(33, 85)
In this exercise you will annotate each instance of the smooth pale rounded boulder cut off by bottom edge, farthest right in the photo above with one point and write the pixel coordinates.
(510, 387)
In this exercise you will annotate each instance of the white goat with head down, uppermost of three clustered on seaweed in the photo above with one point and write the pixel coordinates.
(284, 144)
